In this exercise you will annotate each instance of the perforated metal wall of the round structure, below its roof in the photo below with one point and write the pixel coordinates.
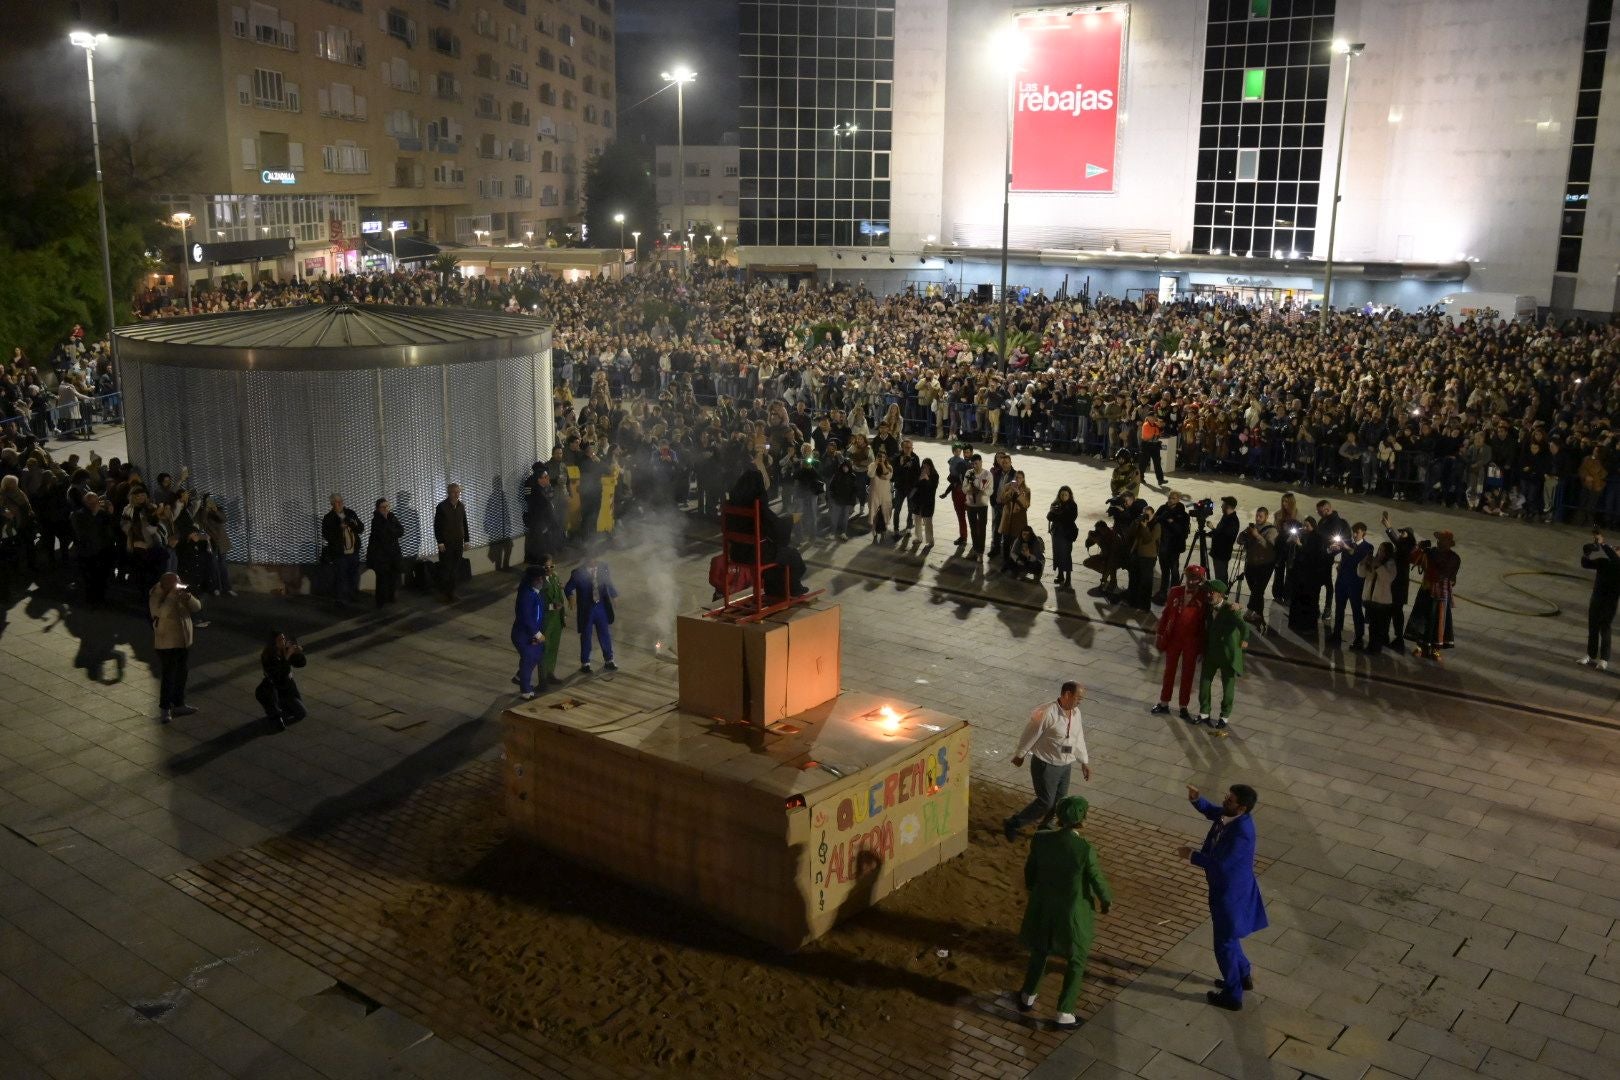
(273, 446)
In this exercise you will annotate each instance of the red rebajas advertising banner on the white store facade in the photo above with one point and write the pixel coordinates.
(1067, 101)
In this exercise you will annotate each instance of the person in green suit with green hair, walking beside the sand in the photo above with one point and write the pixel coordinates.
(1065, 887)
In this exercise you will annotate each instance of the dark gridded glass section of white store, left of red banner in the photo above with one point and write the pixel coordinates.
(808, 67)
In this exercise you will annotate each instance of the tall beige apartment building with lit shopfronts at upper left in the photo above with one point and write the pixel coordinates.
(325, 122)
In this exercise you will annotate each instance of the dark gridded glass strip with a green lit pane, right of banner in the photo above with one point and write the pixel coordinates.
(1261, 127)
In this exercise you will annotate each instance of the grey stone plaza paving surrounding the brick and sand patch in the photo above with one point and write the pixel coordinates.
(1444, 890)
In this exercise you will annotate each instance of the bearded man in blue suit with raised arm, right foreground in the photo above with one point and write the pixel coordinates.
(1227, 861)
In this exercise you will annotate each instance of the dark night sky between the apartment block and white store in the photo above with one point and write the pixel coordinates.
(659, 35)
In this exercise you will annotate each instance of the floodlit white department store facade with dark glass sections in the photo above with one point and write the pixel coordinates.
(1477, 151)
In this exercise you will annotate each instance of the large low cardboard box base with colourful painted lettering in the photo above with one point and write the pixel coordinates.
(725, 819)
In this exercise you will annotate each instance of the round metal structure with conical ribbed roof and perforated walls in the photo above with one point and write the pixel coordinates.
(278, 410)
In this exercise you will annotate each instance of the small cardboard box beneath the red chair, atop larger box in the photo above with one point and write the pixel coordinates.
(764, 671)
